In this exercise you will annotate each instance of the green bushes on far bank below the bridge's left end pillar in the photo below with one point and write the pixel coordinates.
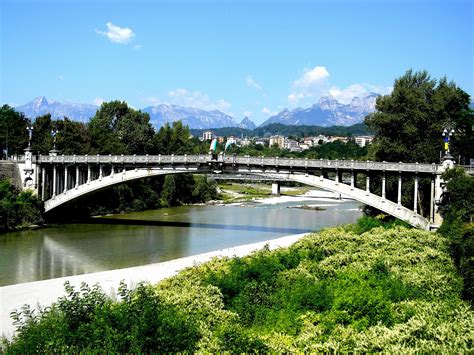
(18, 209)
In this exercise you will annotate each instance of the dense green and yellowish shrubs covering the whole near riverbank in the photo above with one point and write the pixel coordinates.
(352, 288)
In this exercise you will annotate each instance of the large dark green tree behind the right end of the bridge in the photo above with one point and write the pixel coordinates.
(408, 123)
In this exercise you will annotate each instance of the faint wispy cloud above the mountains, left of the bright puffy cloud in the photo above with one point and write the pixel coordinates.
(184, 97)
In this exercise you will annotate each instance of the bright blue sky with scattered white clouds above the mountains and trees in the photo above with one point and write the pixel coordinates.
(242, 57)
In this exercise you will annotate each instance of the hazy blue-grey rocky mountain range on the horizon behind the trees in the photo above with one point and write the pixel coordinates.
(327, 112)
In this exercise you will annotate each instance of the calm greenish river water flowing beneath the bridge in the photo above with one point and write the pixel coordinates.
(141, 238)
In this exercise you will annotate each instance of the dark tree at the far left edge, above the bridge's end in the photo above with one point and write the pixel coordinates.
(13, 133)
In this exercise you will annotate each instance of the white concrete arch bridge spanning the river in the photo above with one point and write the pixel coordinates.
(62, 179)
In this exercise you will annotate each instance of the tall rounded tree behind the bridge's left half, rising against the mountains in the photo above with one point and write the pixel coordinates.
(119, 129)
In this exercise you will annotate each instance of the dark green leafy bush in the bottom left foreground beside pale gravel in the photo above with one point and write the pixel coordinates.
(87, 320)
